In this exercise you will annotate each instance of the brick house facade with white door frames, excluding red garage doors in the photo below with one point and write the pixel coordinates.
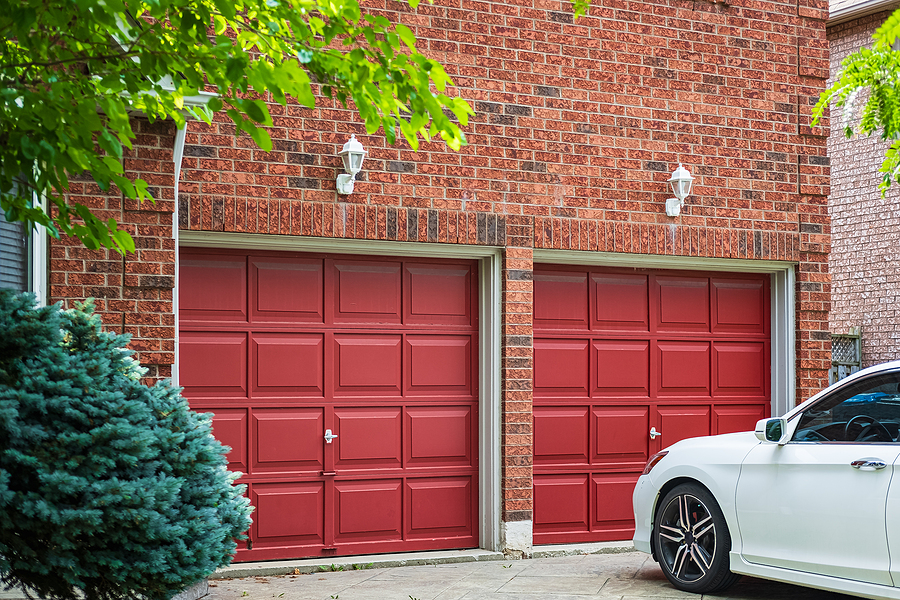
(578, 127)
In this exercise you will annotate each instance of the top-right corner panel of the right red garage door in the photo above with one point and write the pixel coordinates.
(740, 306)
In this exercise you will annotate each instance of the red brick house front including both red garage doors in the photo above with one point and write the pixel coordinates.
(493, 333)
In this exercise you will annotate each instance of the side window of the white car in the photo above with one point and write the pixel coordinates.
(867, 411)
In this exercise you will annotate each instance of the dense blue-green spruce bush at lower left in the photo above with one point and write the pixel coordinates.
(108, 488)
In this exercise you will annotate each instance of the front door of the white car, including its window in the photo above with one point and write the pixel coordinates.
(817, 504)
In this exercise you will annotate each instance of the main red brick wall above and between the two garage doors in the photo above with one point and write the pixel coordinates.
(578, 127)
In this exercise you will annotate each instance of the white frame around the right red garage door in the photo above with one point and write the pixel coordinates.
(781, 273)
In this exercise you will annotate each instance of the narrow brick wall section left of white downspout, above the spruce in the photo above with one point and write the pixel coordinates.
(133, 293)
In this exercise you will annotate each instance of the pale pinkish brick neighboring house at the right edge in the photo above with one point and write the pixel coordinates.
(865, 226)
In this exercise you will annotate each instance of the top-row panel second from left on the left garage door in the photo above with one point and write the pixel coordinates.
(287, 289)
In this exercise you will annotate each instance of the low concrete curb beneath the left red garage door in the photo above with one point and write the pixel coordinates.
(350, 563)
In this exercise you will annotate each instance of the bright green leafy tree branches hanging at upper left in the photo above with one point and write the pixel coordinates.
(74, 70)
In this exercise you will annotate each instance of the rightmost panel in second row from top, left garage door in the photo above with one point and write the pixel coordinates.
(439, 364)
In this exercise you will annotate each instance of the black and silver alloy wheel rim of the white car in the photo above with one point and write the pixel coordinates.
(687, 538)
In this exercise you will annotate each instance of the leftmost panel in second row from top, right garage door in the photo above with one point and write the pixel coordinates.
(561, 366)
